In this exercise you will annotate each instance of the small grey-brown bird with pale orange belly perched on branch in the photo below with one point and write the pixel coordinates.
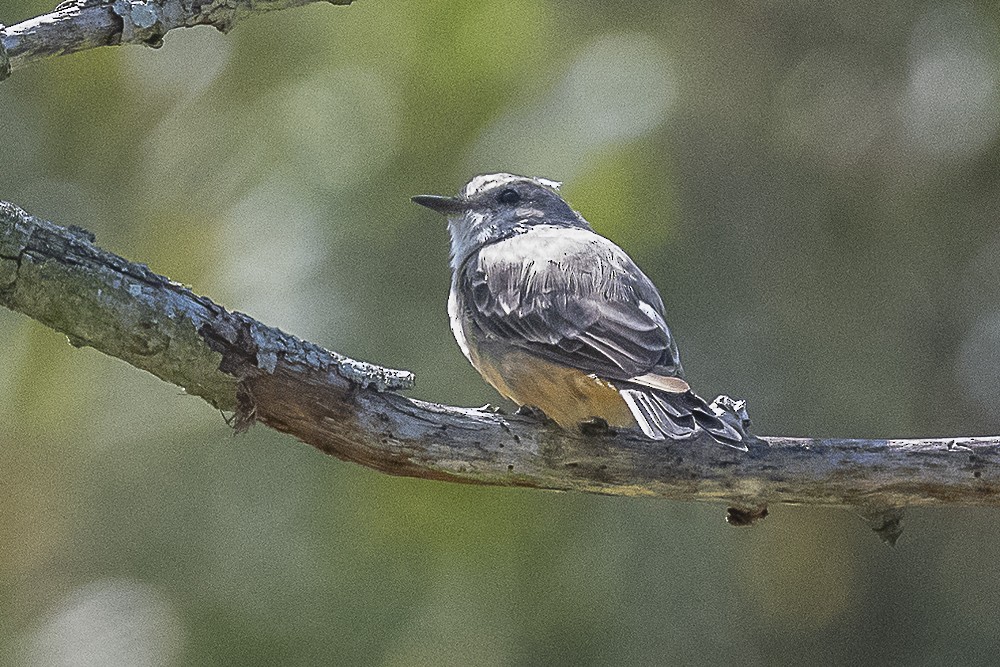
(557, 317)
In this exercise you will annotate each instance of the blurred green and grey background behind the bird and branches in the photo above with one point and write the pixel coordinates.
(813, 186)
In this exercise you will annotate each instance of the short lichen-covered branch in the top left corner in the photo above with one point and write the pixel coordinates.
(77, 25)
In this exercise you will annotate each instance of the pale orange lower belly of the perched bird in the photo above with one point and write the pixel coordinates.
(567, 395)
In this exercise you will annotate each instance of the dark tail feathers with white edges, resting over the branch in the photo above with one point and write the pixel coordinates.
(662, 414)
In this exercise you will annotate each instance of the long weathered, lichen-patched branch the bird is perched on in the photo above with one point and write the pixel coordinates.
(348, 408)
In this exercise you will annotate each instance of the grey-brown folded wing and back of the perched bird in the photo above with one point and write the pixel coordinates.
(572, 297)
